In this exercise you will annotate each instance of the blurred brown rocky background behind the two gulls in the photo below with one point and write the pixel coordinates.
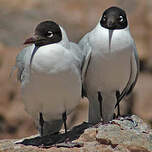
(18, 19)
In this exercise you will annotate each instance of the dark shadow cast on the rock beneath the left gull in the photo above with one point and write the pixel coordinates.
(60, 139)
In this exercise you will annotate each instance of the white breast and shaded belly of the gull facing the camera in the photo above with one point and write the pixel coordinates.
(109, 68)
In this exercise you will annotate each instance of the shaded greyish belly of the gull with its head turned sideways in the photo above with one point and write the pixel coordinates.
(52, 94)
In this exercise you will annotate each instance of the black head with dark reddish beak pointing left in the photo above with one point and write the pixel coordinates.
(47, 32)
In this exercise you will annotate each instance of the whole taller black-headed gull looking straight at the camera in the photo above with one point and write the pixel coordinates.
(114, 64)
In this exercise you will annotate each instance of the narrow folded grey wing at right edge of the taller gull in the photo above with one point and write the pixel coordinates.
(134, 72)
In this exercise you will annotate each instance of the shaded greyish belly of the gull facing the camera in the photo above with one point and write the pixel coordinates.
(108, 72)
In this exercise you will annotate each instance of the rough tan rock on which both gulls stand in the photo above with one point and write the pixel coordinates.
(129, 134)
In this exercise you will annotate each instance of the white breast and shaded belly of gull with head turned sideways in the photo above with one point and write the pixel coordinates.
(55, 84)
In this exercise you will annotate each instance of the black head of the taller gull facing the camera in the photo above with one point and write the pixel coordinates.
(114, 18)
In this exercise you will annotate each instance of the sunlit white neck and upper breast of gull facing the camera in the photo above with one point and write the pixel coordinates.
(110, 40)
